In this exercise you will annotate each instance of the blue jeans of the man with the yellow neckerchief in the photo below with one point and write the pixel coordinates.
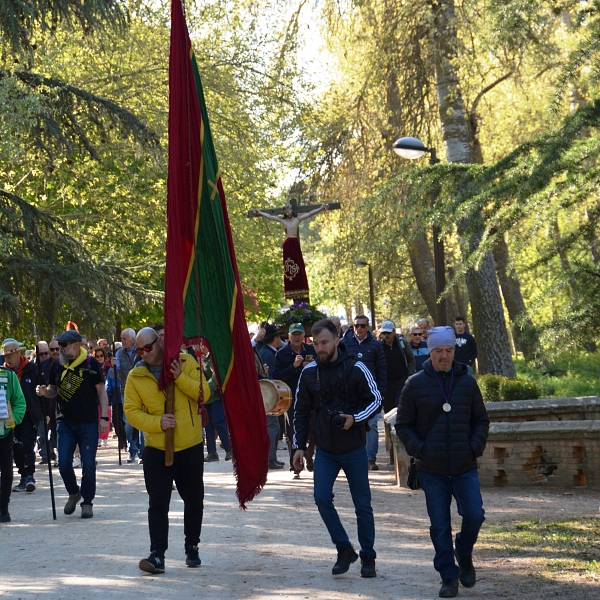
(86, 435)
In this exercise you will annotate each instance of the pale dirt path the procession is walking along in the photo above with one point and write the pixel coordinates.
(279, 548)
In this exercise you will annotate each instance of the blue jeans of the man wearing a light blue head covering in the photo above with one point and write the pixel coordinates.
(438, 496)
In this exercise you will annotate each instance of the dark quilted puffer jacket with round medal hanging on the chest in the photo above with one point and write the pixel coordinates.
(458, 437)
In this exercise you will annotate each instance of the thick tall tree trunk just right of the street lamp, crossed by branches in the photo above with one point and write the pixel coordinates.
(486, 304)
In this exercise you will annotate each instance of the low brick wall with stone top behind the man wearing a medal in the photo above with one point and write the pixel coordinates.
(552, 442)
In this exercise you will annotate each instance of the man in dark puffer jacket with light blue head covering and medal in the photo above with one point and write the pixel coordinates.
(443, 423)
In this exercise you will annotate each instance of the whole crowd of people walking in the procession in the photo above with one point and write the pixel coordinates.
(65, 400)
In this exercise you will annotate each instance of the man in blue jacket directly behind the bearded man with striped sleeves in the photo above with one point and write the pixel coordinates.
(362, 345)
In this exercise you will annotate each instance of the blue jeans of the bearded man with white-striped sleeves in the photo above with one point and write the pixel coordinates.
(355, 466)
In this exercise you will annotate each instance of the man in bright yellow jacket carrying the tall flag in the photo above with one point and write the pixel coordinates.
(145, 410)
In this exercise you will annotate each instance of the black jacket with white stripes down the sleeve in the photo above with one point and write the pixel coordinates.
(345, 386)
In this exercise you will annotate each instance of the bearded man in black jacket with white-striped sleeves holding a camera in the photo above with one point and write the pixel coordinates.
(344, 396)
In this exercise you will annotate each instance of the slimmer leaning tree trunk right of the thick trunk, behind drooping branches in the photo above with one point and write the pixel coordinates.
(525, 337)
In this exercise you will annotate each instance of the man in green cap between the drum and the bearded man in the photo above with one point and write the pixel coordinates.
(289, 362)
